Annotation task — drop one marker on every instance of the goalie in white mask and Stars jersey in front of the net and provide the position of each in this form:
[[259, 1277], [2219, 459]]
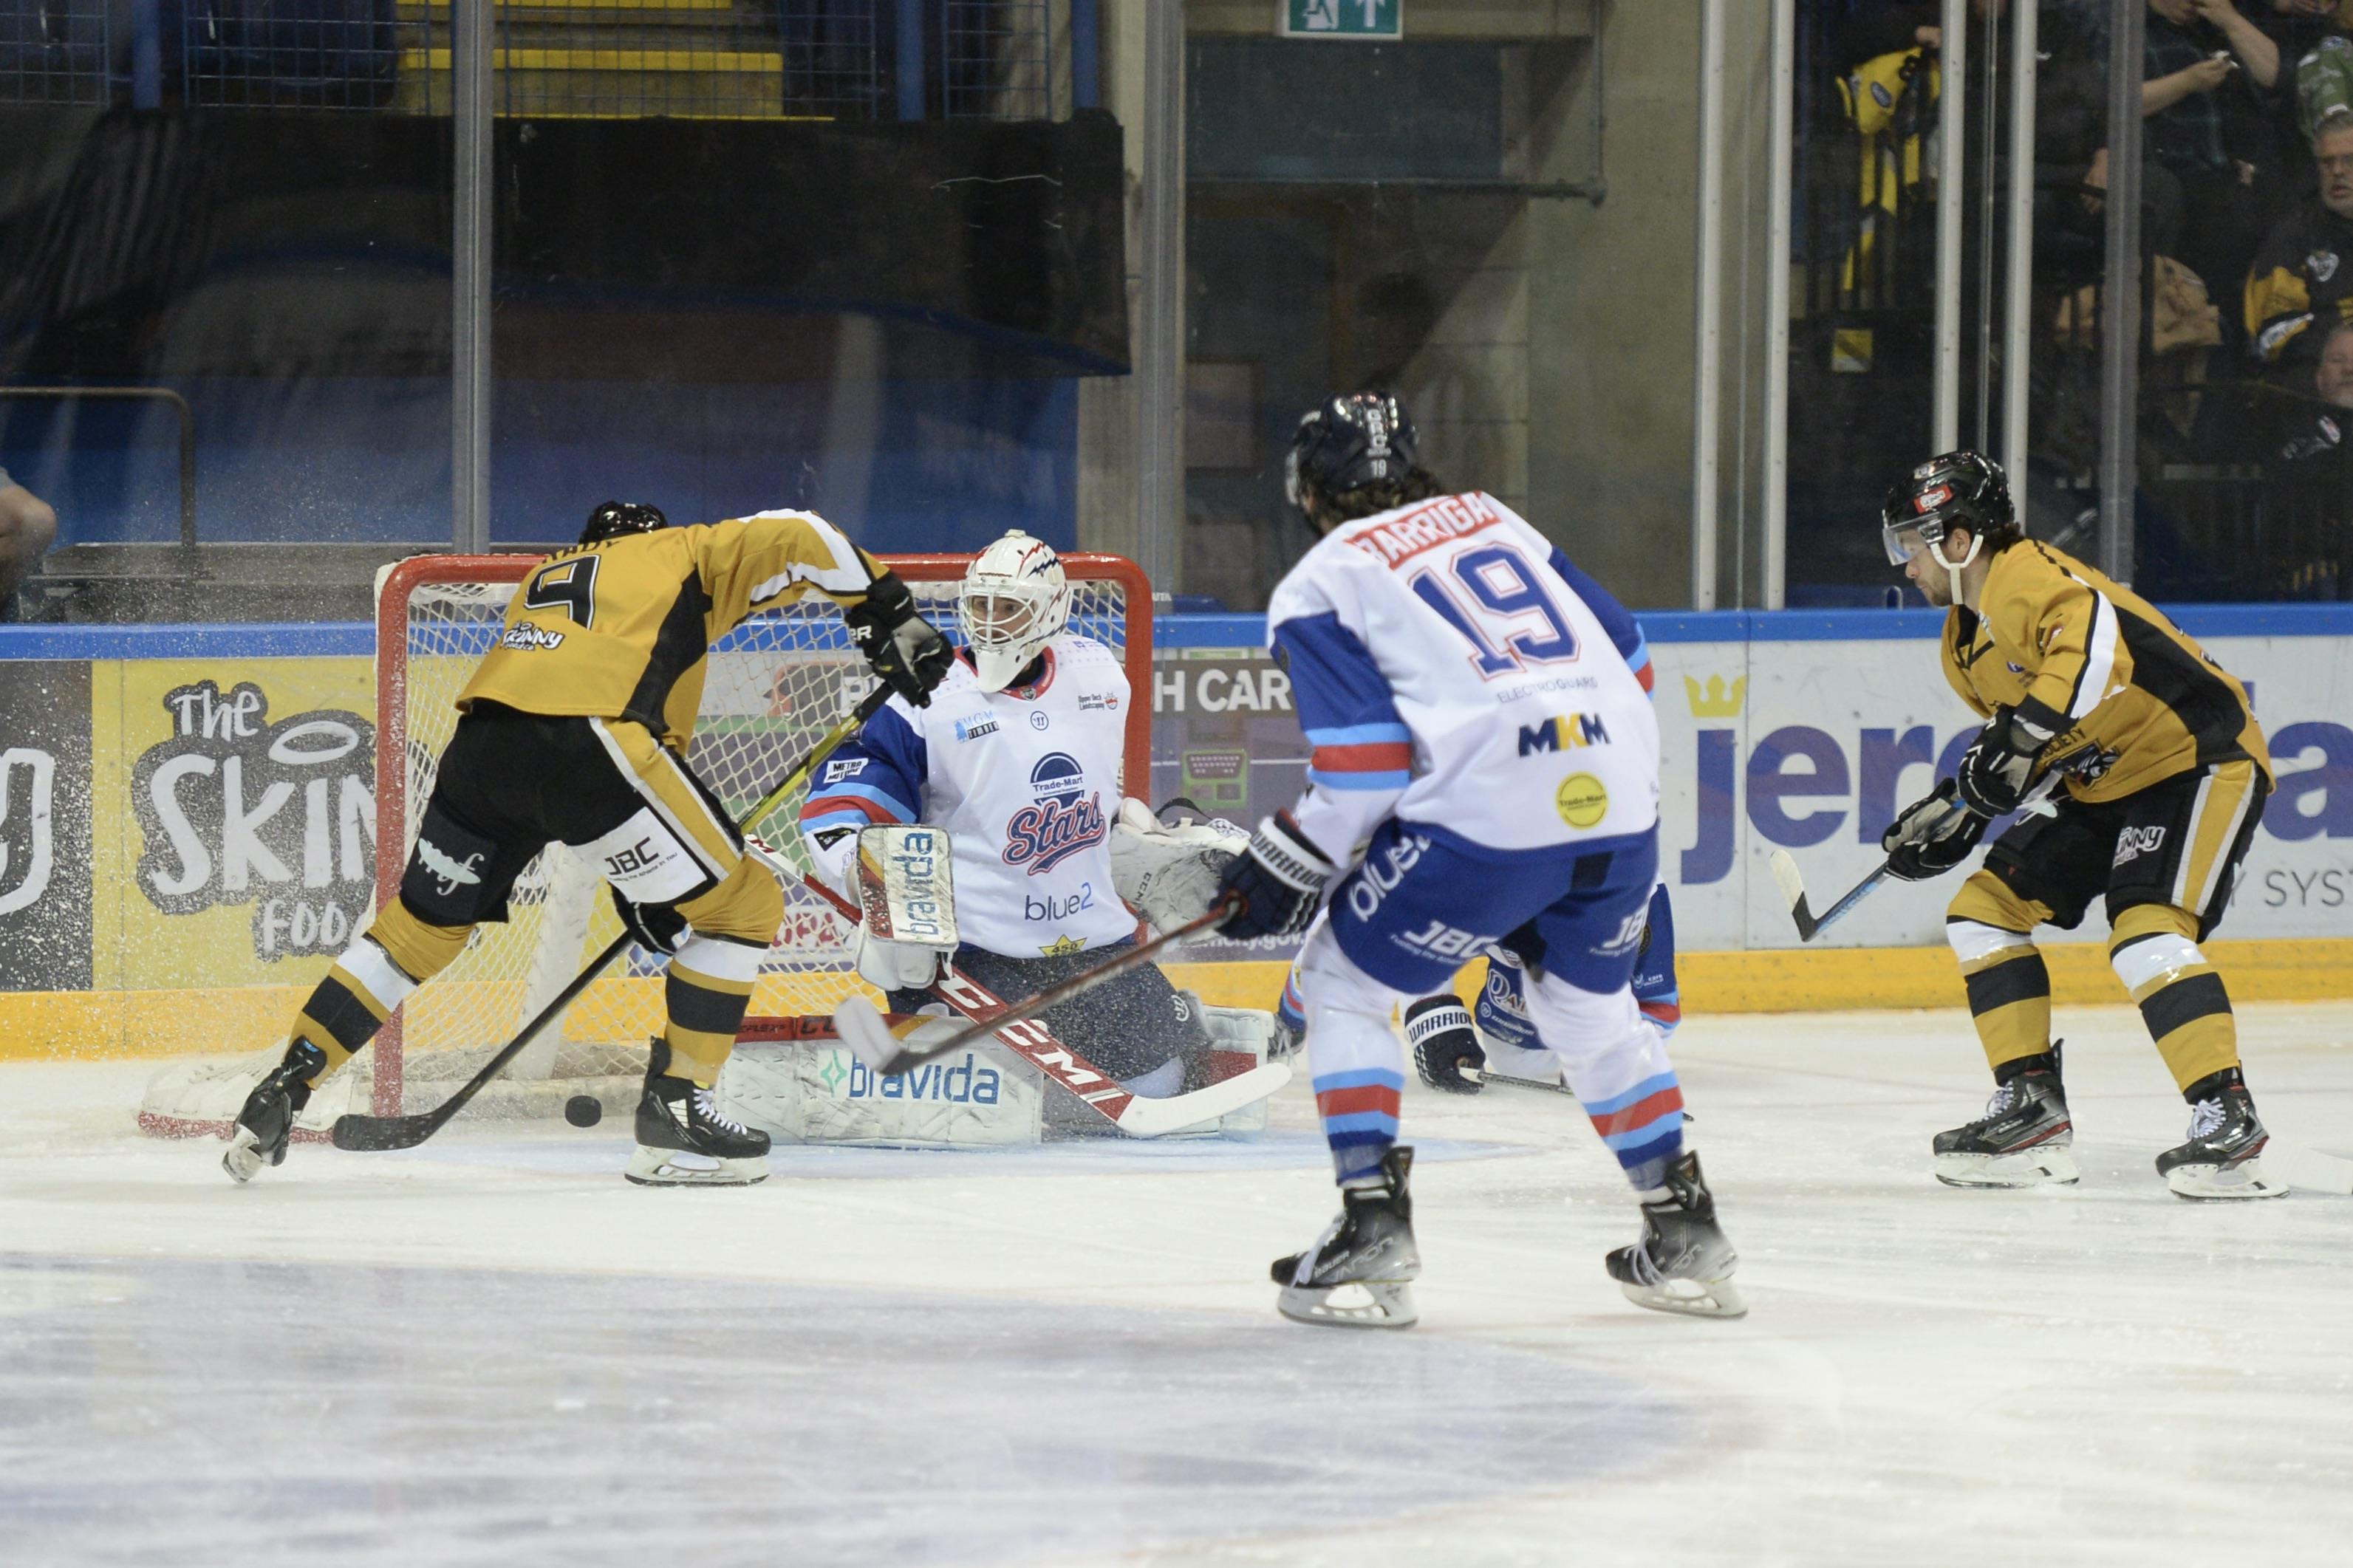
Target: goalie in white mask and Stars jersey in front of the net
[[1020, 760]]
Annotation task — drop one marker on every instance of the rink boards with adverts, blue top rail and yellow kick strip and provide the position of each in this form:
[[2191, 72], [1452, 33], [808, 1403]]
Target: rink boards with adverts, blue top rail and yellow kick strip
[[187, 812]]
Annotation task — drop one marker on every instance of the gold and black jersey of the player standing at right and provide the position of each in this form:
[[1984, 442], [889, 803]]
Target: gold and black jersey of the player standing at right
[[2126, 692]]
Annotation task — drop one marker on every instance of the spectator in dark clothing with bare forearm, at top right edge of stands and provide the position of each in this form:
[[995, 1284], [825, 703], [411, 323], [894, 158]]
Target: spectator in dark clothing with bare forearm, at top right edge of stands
[[2204, 58]]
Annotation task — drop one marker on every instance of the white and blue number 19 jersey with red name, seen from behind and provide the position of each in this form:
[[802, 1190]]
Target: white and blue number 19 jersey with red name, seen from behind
[[1453, 669]]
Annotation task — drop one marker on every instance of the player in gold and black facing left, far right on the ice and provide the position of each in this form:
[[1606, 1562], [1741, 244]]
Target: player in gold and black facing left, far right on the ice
[[2142, 777]]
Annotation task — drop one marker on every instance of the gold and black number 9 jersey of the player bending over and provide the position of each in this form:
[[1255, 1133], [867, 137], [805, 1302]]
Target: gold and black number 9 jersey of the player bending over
[[622, 629]]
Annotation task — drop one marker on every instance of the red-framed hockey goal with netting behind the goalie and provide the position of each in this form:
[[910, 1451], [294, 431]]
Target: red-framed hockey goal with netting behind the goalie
[[773, 690]]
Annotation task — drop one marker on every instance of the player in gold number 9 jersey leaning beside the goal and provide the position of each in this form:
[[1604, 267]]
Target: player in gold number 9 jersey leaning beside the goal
[[575, 730]]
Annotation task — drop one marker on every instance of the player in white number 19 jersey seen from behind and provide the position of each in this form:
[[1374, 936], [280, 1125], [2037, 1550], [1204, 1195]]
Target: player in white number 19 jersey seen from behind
[[1484, 779]]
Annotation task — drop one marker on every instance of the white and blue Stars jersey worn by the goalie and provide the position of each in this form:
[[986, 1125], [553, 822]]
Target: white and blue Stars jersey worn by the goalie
[[1027, 784]]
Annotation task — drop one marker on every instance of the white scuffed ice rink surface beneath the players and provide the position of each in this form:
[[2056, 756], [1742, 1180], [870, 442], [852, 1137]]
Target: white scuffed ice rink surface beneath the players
[[493, 1351]]
